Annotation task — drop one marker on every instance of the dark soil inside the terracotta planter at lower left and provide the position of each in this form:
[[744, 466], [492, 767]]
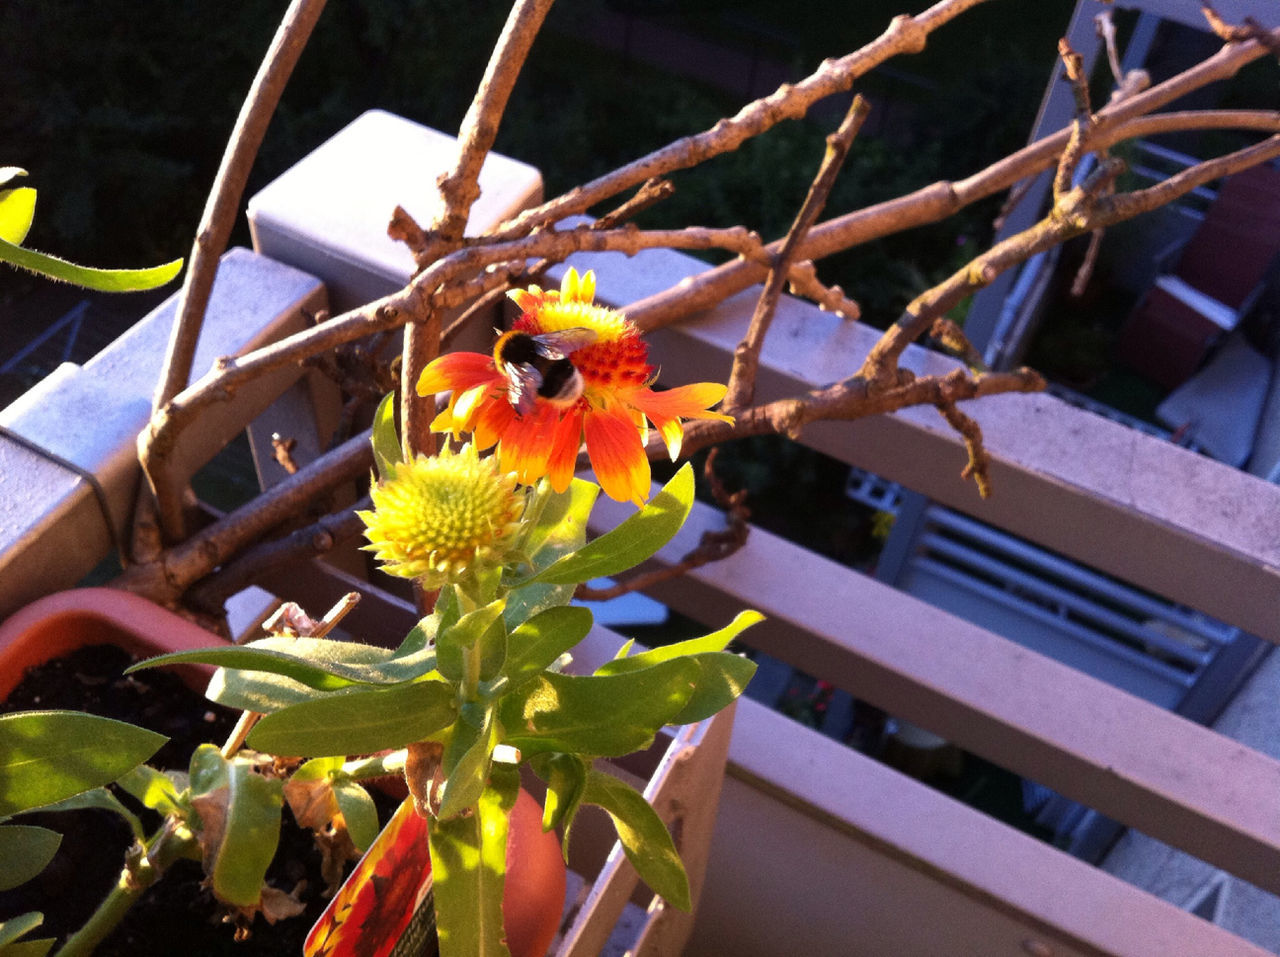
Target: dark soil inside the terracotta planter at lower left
[[177, 915]]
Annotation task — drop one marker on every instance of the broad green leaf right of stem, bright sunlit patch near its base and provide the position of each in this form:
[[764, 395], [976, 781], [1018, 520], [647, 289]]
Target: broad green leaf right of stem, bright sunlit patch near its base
[[607, 717]]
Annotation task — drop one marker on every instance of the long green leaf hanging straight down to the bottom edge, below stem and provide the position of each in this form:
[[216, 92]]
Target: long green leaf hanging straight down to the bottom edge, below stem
[[469, 867]]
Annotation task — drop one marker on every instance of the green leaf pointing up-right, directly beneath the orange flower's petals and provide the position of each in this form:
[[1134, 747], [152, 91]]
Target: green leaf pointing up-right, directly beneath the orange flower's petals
[[630, 543]]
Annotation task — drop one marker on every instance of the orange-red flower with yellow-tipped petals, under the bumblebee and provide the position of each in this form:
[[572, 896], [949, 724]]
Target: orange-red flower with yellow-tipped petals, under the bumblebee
[[612, 415]]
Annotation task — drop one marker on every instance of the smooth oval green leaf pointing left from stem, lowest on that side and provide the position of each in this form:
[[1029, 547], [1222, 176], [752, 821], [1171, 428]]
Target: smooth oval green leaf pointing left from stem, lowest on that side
[[358, 722]]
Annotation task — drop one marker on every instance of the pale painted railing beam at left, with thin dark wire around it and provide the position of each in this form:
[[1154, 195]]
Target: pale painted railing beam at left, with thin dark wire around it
[[52, 529]]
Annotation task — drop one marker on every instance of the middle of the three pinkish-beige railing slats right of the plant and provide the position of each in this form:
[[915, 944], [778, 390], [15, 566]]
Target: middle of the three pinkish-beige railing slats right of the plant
[[1131, 761]]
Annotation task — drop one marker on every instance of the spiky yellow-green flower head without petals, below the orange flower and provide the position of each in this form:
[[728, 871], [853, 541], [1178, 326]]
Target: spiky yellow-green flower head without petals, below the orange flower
[[441, 516]]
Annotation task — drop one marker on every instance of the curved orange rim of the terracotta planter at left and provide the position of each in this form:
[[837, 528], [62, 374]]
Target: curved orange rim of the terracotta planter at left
[[61, 624]]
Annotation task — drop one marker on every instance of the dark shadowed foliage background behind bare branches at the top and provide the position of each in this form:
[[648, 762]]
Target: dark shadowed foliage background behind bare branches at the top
[[122, 111]]
